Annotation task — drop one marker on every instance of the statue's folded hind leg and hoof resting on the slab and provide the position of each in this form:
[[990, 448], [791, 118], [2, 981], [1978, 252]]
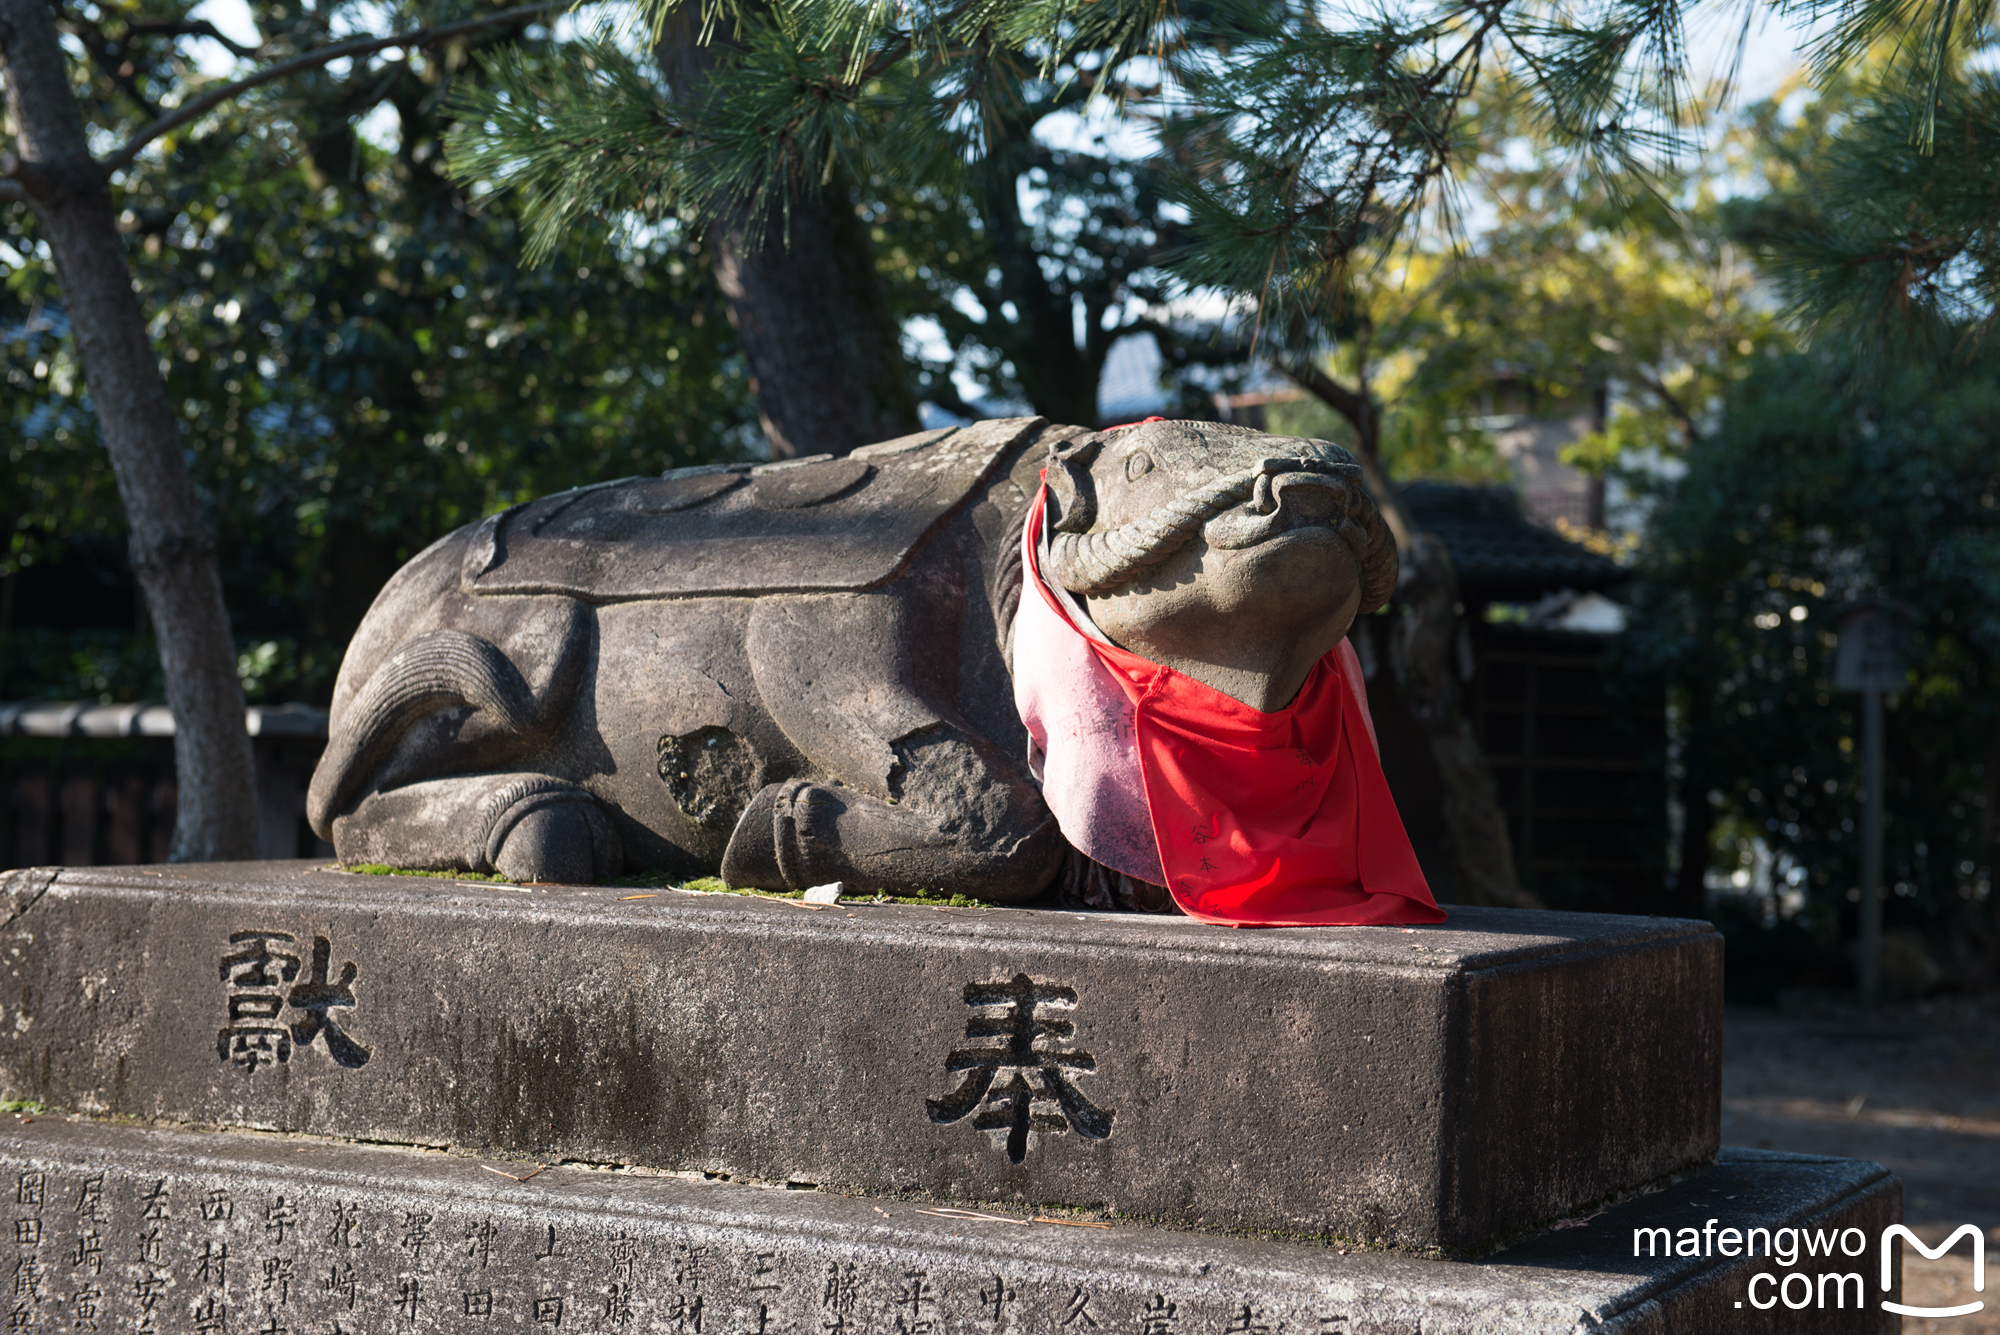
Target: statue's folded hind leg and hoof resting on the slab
[[525, 826]]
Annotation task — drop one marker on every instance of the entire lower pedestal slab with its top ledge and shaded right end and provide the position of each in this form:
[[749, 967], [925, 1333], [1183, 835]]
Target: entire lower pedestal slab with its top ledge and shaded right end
[[129, 1230]]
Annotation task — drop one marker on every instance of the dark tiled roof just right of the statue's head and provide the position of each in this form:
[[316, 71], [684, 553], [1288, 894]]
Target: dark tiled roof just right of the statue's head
[[1501, 557]]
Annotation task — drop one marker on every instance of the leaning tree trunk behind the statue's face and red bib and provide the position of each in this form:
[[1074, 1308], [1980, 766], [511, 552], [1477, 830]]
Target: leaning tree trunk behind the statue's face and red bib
[[1483, 854]]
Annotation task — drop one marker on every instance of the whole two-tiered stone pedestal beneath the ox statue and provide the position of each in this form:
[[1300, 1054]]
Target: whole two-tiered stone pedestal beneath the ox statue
[[607, 1110]]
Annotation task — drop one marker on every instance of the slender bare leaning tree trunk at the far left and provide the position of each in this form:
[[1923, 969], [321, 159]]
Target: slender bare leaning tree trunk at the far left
[[173, 553]]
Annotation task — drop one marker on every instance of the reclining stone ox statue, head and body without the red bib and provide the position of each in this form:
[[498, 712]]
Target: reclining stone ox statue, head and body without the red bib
[[801, 672]]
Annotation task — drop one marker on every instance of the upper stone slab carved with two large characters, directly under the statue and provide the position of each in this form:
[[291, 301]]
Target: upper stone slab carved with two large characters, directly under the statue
[[1435, 1088]]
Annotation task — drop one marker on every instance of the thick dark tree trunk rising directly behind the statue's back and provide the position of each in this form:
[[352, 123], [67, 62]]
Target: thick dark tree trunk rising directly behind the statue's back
[[807, 305]]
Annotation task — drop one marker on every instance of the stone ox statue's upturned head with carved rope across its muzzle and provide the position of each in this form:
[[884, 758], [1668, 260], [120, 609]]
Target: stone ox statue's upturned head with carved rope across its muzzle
[[1185, 539]]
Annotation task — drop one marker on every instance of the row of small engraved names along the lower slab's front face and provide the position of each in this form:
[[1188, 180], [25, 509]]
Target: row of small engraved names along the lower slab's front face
[[237, 1254]]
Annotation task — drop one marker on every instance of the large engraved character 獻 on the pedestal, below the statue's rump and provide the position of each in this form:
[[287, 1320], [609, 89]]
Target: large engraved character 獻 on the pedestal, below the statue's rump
[[267, 978]]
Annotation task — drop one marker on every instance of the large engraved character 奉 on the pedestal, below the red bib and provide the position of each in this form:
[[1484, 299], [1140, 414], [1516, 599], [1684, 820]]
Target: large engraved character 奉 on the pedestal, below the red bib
[[1027, 1082]]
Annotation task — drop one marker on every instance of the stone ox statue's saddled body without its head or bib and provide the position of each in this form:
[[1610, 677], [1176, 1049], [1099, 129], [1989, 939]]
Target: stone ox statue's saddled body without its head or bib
[[531, 692]]
